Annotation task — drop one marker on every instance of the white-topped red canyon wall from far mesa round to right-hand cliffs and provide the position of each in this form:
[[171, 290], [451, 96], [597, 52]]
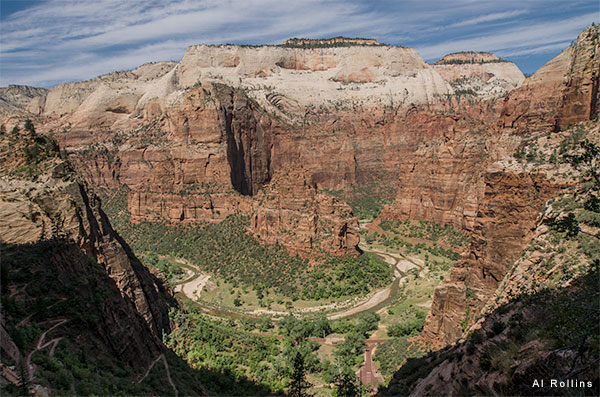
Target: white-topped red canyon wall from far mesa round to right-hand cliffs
[[222, 130]]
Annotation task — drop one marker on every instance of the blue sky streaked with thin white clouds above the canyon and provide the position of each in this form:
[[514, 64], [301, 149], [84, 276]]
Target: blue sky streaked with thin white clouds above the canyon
[[44, 43]]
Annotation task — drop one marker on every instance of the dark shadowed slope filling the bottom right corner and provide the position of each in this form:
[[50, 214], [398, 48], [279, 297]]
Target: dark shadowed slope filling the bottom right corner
[[521, 342]]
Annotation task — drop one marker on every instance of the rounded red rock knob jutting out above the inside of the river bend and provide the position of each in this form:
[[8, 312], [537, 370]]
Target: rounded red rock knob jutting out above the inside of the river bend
[[291, 212]]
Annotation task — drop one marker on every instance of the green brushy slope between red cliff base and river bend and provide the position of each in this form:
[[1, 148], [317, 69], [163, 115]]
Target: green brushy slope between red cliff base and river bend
[[228, 251]]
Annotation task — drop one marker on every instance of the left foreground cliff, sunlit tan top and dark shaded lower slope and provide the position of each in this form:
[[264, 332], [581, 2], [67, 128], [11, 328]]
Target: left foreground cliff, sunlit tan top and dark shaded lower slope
[[64, 265]]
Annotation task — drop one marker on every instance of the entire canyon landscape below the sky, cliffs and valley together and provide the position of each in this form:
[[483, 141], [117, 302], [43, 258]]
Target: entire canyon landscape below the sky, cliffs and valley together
[[262, 220]]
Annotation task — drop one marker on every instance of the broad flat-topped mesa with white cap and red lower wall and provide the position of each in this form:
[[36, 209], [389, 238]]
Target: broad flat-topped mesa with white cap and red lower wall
[[190, 148]]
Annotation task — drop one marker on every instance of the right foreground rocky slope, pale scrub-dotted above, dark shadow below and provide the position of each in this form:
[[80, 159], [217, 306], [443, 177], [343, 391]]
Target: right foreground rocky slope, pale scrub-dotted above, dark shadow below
[[539, 320]]
